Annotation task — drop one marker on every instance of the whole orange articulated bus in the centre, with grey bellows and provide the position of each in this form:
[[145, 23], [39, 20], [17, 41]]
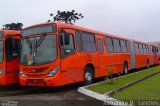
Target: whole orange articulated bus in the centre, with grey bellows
[[56, 54]]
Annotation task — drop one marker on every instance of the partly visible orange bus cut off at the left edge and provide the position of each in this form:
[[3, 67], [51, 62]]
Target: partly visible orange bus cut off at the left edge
[[9, 56]]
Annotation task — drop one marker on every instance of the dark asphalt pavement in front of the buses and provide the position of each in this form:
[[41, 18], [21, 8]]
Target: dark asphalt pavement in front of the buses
[[15, 95]]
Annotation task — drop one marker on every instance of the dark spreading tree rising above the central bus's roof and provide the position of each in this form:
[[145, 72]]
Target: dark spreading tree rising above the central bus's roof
[[66, 16]]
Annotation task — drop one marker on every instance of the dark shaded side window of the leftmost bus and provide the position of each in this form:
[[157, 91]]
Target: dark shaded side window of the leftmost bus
[[12, 48]]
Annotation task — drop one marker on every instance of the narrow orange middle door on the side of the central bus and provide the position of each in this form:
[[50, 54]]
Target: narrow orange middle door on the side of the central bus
[[101, 56]]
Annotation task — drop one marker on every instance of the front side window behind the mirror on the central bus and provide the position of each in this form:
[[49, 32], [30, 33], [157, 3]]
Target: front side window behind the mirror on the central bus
[[66, 48]]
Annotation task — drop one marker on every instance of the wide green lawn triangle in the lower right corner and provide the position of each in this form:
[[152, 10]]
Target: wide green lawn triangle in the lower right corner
[[148, 89]]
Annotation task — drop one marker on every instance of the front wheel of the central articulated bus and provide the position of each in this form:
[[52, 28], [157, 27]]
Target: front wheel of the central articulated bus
[[88, 76]]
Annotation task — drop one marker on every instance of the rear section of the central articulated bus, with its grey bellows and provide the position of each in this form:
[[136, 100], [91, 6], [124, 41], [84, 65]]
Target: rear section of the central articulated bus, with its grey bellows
[[141, 54]]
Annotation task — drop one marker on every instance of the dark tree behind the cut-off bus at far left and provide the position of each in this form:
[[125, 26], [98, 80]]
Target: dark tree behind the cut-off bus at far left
[[12, 26]]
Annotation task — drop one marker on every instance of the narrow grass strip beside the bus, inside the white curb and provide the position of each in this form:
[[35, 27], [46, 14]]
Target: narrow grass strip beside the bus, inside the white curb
[[105, 87]]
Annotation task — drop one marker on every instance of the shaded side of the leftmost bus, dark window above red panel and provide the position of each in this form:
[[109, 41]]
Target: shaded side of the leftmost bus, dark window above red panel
[[12, 61]]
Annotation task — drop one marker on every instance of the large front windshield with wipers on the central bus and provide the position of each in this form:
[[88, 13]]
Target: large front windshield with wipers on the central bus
[[38, 50]]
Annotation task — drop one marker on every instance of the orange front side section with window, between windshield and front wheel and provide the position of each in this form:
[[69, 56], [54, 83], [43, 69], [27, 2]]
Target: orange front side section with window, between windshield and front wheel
[[70, 63]]
